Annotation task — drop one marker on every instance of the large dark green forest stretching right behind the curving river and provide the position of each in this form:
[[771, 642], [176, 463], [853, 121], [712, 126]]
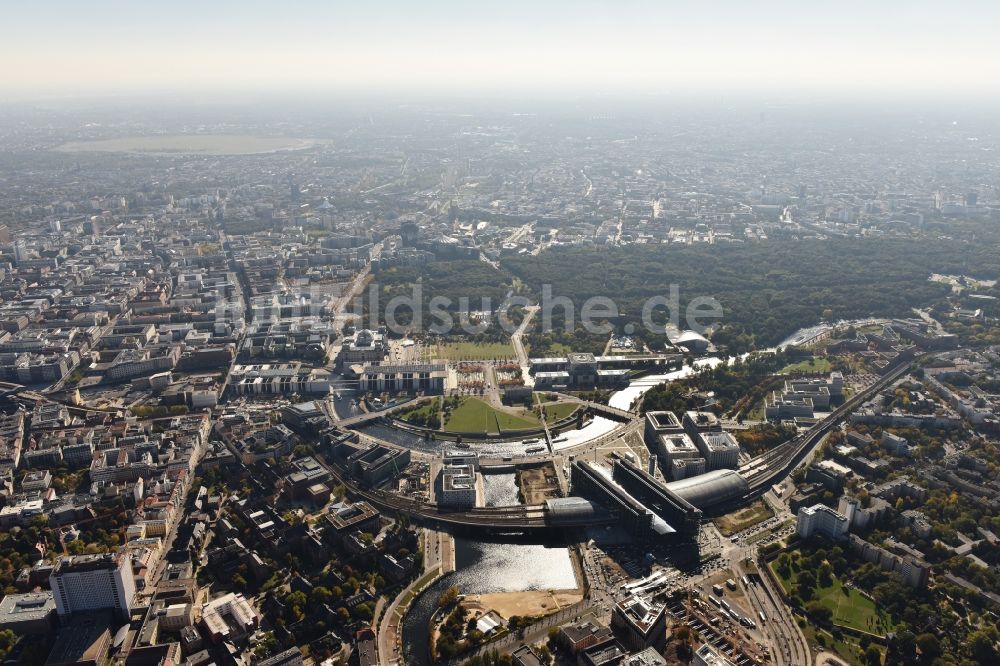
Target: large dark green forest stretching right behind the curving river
[[767, 290]]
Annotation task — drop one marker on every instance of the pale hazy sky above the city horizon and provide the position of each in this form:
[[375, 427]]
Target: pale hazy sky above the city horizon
[[885, 47]]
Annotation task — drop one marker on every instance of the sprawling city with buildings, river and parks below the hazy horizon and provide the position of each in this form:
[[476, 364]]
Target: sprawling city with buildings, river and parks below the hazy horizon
[[337, 381]]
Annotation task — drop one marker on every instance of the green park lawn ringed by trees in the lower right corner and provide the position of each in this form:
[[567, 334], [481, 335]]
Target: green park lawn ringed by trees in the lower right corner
[[824, 595]]
